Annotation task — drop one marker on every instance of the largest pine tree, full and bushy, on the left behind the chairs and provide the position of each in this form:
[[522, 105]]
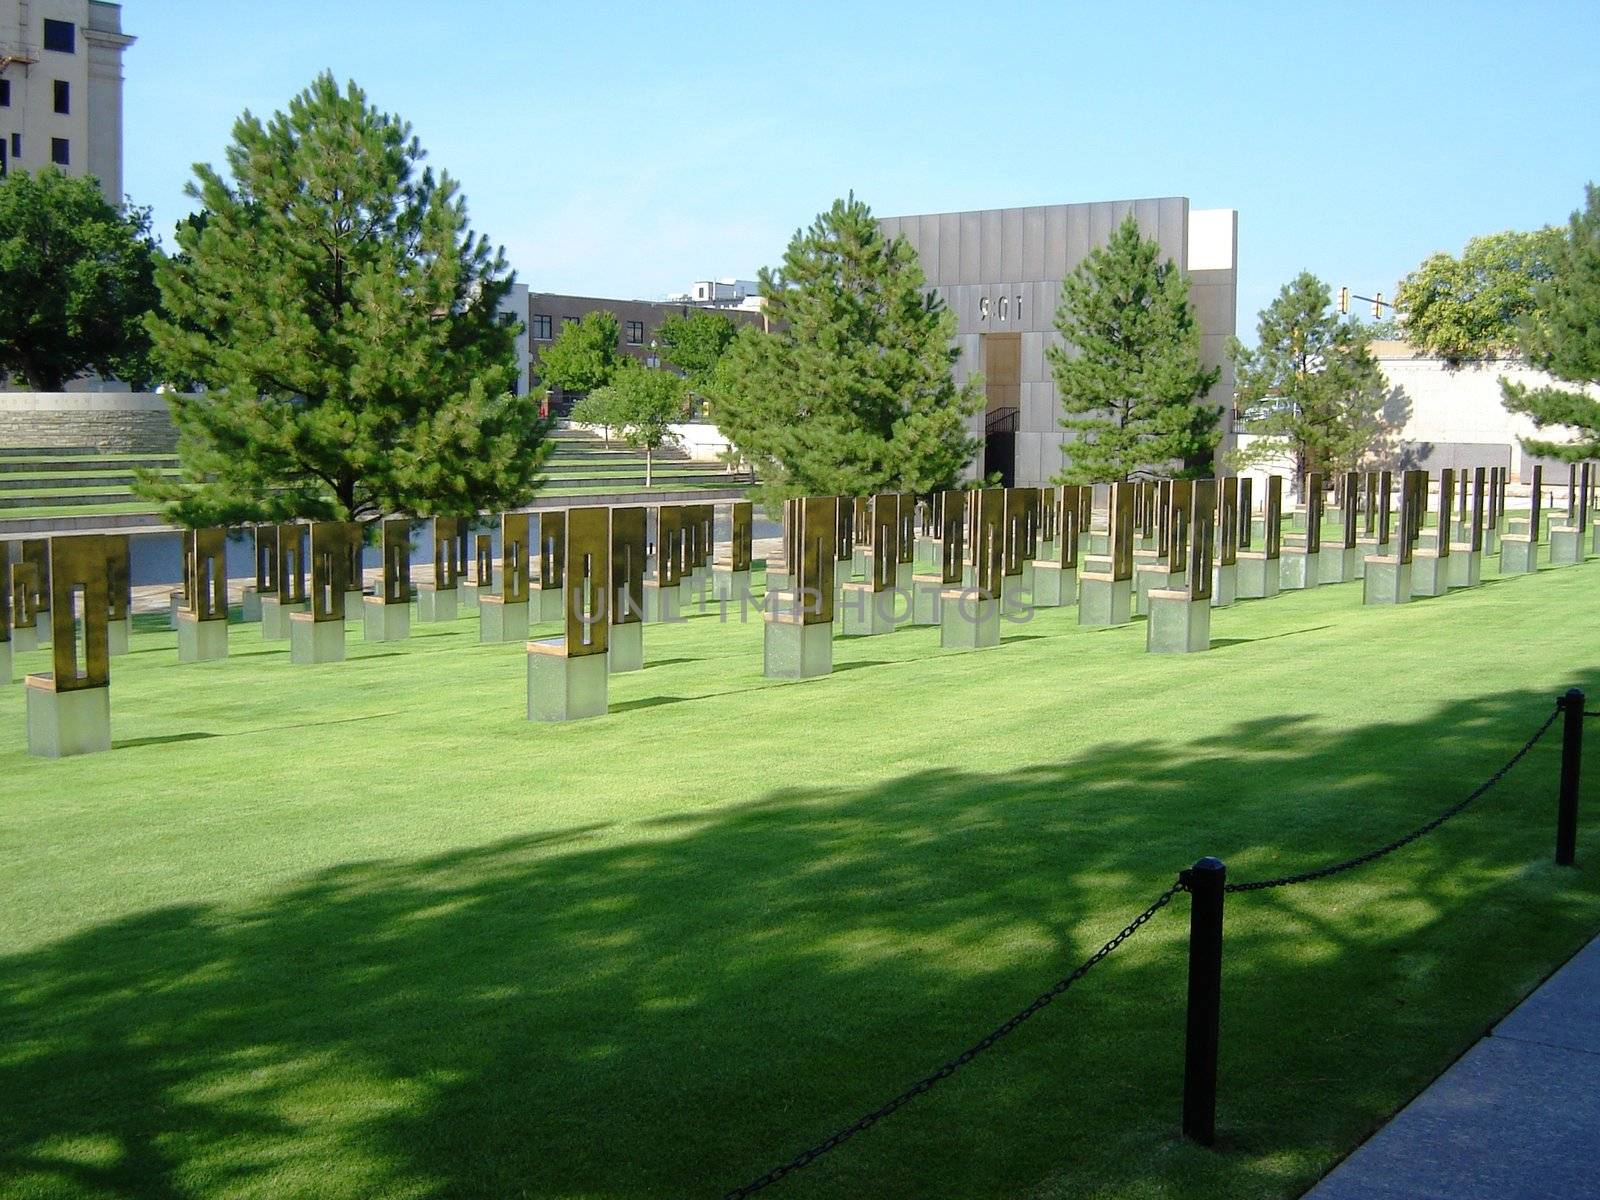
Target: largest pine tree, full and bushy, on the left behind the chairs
[[343, 322]]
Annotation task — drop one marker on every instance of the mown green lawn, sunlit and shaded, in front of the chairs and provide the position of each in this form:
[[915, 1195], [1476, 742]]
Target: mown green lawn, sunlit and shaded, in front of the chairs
[[362, 930]]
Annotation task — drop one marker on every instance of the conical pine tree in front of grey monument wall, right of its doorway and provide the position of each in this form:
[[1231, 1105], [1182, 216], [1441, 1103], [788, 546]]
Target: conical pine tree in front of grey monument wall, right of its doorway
[[1129, 378]]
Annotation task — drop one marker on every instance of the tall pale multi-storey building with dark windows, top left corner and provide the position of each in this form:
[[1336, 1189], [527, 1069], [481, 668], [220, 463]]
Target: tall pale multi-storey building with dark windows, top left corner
[[62, 89]]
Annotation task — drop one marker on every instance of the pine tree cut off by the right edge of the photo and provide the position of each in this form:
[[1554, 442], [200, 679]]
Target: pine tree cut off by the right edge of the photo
[[1564, 338]]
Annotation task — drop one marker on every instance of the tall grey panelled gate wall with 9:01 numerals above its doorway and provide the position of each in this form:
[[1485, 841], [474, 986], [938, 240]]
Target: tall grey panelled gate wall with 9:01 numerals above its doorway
[[1001, 274]]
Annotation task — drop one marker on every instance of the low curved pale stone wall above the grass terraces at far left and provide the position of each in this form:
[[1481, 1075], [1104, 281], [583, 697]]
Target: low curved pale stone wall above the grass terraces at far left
[[106, 422]]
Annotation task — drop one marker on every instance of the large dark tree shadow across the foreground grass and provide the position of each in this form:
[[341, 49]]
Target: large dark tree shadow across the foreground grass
[[671, 1009]]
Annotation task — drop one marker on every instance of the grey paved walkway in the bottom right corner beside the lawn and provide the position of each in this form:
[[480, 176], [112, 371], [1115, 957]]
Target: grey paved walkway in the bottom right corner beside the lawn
[[1518, 1116]]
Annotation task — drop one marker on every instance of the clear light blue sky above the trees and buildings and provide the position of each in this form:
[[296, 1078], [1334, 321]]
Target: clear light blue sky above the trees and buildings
[[630, 150]]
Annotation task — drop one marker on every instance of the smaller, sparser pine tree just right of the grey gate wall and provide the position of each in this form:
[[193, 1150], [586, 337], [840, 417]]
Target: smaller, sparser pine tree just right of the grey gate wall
[[1311, 390]]
